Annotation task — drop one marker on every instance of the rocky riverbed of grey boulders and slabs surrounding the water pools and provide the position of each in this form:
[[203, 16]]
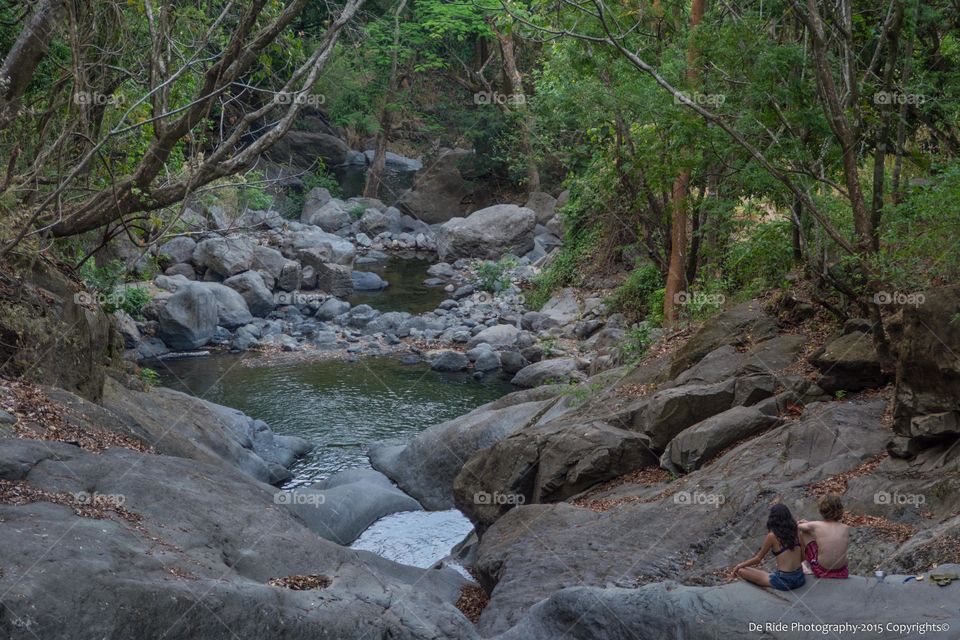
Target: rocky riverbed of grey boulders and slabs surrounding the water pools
[[609, 496]]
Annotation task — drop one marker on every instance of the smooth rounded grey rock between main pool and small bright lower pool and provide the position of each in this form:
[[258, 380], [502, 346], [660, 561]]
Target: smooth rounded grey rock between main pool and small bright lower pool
[[340, 509]]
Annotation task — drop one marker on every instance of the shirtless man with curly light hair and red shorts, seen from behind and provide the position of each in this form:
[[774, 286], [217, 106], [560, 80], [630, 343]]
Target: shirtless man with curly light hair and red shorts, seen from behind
[[825, 541]]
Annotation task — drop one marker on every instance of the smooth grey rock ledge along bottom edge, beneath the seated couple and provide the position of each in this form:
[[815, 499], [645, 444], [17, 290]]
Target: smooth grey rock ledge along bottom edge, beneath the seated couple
[[667, 610]]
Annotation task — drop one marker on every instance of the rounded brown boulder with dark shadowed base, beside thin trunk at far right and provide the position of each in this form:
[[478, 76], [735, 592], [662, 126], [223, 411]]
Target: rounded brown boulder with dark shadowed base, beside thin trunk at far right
[[849, 363]]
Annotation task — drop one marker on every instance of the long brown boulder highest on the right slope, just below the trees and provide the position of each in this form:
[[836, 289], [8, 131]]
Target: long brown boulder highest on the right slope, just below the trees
[[737, 326]]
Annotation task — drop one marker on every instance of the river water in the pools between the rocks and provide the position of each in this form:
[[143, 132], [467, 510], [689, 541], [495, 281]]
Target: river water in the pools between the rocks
[[343, 407]]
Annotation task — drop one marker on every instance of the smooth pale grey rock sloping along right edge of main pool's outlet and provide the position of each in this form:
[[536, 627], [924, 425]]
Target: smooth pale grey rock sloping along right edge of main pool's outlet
[[426, 467]]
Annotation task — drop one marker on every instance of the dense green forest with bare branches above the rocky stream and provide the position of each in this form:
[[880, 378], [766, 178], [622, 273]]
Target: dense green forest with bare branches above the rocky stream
[[708, 148]]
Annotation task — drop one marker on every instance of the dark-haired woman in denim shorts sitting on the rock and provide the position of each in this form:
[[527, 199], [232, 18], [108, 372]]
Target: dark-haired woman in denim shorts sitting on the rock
[[783, 542]]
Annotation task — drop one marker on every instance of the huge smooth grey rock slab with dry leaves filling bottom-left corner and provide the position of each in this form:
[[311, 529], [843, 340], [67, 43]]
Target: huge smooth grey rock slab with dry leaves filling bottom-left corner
[[184, 529]]
